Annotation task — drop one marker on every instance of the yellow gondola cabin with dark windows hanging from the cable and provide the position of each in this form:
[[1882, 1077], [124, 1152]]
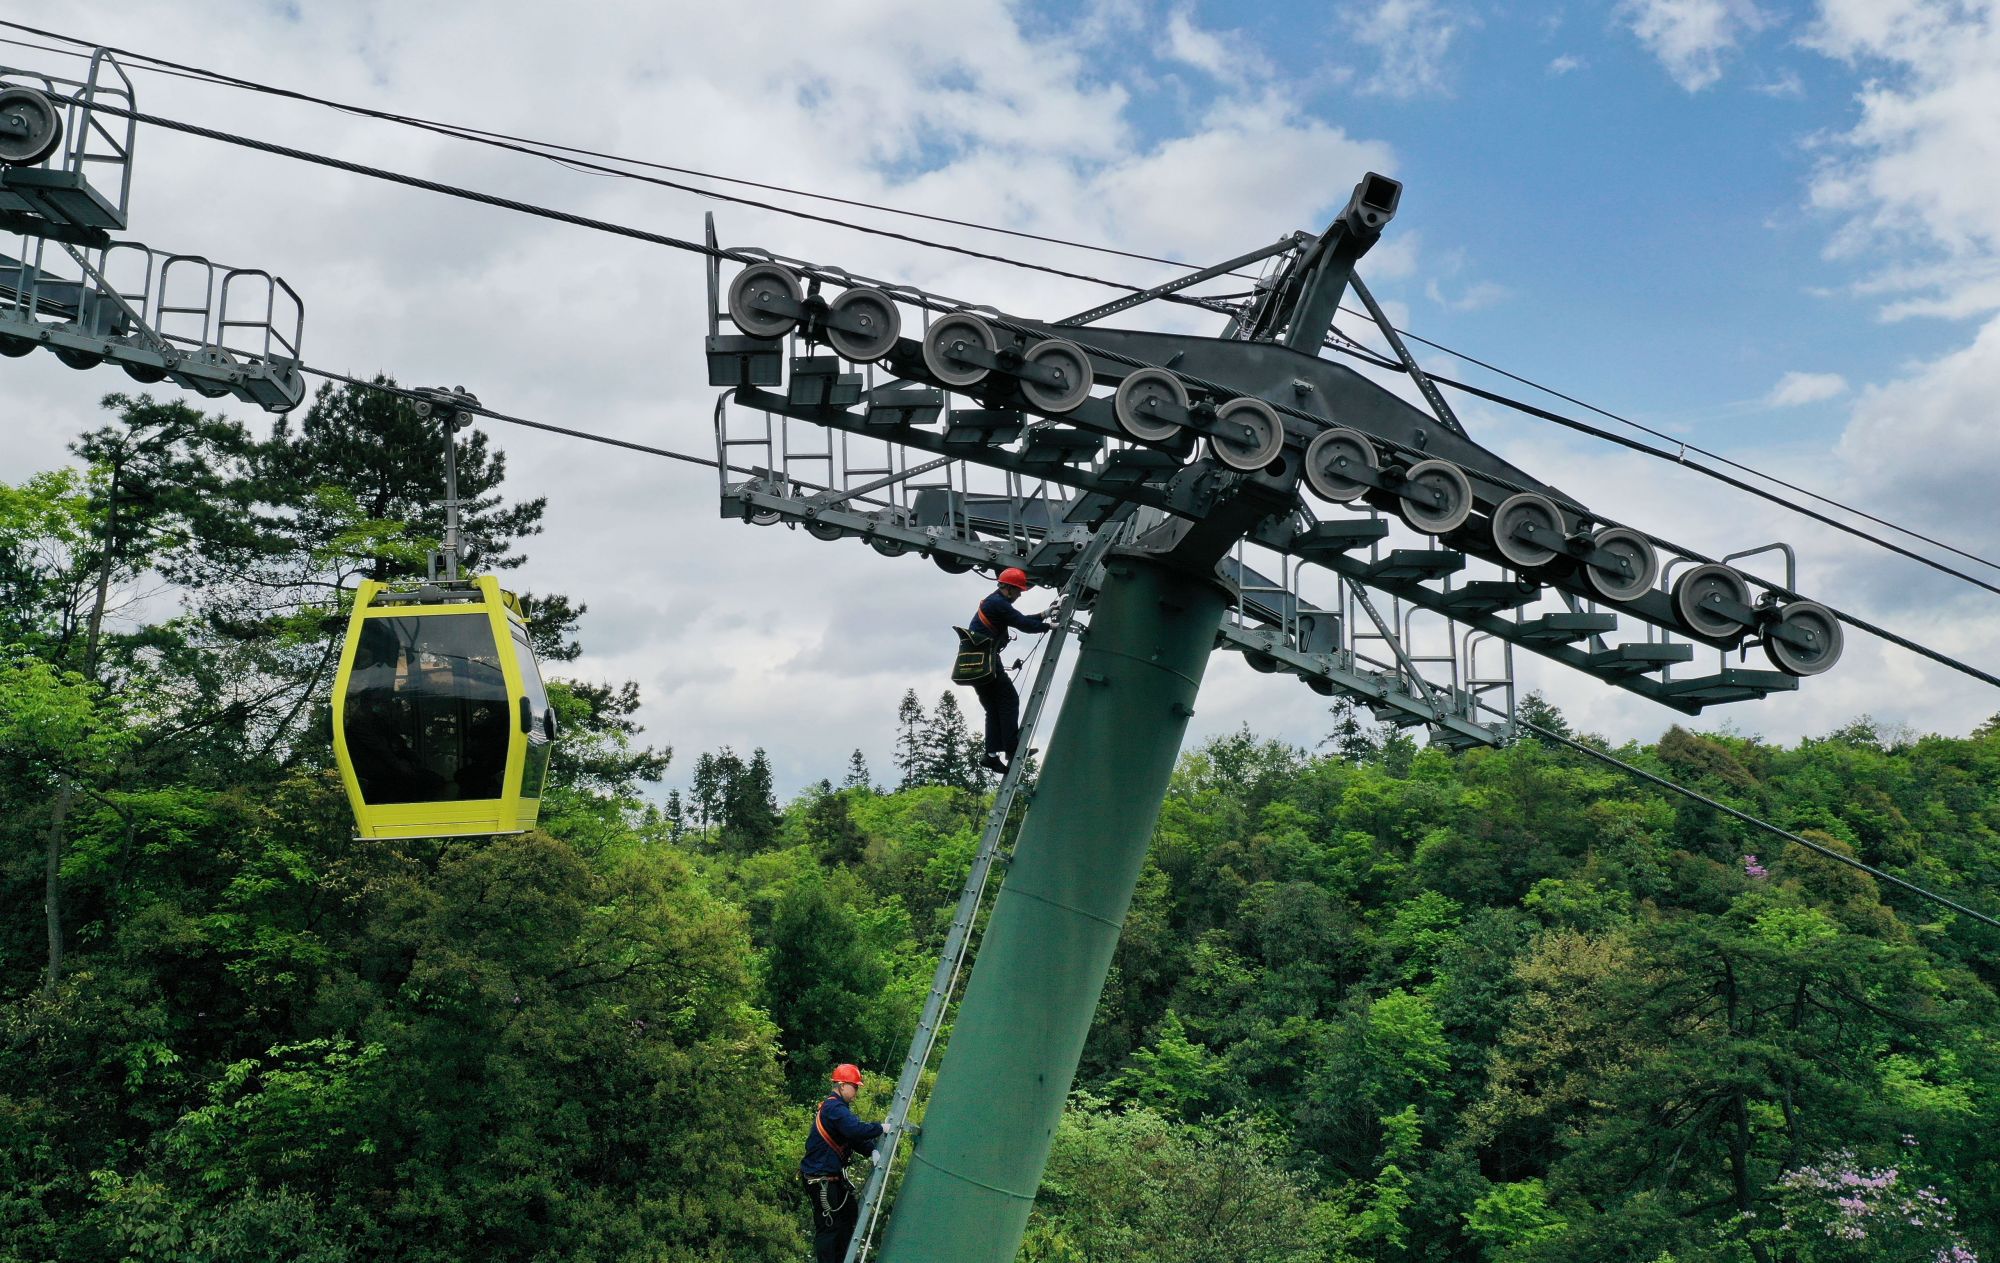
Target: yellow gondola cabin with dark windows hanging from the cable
[[441, 722]]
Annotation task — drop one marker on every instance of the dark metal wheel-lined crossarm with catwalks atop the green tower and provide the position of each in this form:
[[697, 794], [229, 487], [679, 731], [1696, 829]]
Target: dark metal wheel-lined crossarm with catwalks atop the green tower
[[1457, 579]]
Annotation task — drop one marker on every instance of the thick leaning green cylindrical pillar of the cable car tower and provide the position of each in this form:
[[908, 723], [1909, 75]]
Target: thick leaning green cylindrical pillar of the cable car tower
[[1055, 924]]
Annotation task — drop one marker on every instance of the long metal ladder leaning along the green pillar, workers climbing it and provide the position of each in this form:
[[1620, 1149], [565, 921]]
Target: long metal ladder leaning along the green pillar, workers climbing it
[[959, 938]]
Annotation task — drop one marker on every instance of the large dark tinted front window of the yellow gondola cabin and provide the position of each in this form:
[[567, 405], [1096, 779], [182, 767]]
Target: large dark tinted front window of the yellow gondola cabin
[[429, 714]]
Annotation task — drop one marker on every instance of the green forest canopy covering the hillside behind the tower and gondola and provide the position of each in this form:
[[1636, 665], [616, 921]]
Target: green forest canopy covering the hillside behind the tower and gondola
[[1371, 1006]]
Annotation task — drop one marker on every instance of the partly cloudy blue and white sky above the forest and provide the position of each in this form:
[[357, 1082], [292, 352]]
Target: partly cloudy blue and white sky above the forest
[[1771, 231]]
